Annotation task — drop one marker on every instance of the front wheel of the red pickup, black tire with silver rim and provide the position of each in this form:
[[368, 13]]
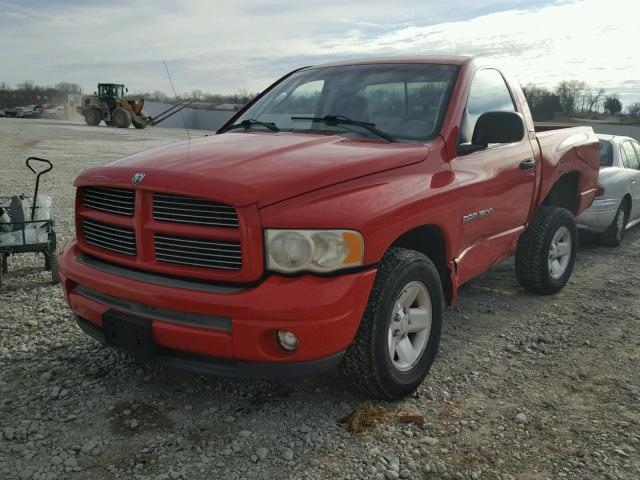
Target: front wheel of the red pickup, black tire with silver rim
[[399, 335]]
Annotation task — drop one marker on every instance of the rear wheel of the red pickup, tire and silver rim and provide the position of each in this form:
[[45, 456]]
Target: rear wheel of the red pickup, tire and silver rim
[[547, 250]]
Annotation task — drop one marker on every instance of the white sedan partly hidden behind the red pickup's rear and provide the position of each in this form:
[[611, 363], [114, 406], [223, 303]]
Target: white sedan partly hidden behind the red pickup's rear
[[617, 203]]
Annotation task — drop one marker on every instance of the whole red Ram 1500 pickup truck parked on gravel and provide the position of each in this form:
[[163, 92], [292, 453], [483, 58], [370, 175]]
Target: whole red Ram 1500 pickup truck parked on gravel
[[328, 222]]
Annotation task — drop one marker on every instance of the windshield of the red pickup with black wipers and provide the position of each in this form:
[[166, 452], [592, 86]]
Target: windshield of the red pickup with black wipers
[[404, 101]]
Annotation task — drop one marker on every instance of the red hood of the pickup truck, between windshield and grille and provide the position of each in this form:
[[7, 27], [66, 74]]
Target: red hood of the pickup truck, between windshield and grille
[[262, 168]]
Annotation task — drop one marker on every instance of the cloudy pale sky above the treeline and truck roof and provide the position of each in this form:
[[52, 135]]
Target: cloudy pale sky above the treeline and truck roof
[[224, 46]]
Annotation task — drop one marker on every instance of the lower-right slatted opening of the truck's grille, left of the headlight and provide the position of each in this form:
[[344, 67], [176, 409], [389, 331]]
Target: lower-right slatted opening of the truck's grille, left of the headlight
[[198, 252]]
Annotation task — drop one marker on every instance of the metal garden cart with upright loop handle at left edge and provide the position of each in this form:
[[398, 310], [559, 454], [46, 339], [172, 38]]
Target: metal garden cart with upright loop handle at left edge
[[33, 235]]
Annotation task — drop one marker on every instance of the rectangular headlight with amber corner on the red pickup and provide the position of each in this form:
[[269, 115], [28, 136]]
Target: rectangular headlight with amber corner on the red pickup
[[313, 250]]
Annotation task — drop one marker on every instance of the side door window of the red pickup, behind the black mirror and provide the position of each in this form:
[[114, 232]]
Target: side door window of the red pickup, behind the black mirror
[[489, 93]]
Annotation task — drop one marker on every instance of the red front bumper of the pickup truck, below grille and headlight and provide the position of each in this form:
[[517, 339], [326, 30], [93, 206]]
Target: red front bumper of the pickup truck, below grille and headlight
[[224, 330]]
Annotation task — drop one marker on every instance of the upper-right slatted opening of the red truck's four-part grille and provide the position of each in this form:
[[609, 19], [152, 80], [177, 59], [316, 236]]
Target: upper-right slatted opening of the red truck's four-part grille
[[196, 211]]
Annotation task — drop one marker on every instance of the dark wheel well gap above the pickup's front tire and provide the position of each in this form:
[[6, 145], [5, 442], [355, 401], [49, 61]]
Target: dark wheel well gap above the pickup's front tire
[[429, 241]]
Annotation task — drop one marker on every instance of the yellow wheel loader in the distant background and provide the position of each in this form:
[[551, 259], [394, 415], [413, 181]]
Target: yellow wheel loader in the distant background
[[111, 106]]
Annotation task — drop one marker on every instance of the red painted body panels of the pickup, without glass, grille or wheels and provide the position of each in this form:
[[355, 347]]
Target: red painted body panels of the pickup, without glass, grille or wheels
[[294, 180]]
